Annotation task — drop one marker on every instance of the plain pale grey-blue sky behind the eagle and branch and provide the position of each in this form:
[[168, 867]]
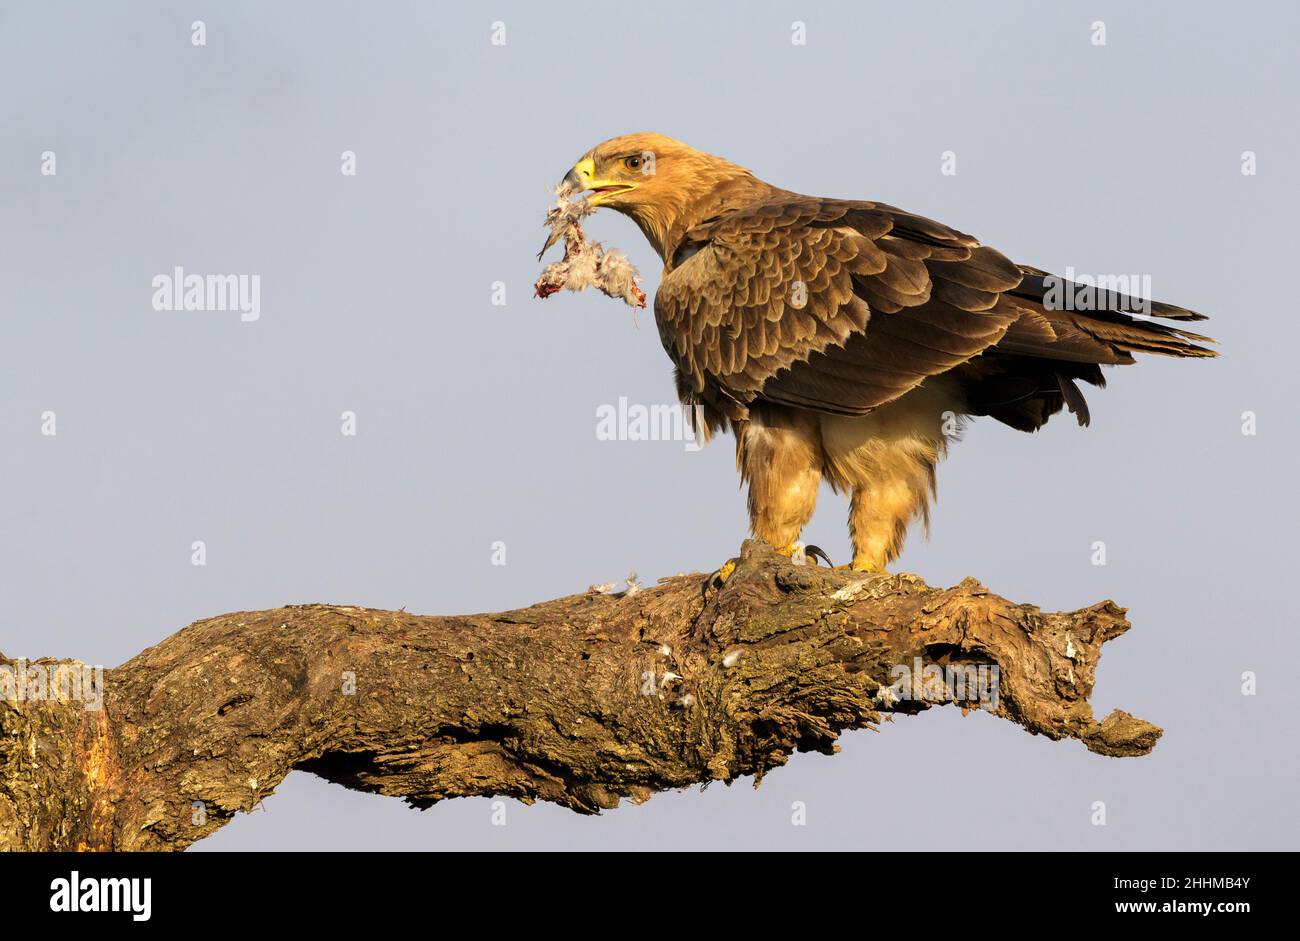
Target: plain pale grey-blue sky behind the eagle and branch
[[478, 423]]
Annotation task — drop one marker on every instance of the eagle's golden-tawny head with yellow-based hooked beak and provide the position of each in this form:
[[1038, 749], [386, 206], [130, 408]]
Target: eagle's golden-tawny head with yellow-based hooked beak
[[662, 184]]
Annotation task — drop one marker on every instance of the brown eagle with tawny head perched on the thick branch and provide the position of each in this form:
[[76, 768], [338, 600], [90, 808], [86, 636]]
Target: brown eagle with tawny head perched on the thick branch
[[848, 341]]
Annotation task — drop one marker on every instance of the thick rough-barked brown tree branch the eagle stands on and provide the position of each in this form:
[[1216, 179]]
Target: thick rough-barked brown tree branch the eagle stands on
[[580, 701]]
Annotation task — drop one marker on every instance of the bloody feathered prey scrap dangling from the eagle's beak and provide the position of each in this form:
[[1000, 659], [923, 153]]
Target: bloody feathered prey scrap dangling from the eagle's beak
[[586, 264]]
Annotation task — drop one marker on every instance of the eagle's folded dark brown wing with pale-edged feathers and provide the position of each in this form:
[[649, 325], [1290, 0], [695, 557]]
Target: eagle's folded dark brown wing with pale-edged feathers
[[842, 306]]
